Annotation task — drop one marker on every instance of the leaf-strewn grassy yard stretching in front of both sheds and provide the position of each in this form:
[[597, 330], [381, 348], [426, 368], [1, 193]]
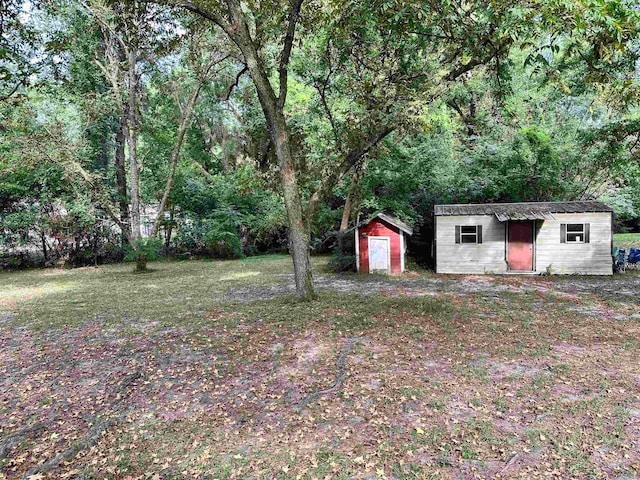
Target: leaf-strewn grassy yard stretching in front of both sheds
[[213, 370]]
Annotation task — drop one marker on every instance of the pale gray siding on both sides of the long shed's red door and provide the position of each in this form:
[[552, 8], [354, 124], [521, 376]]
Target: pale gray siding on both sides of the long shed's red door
[[592, 258]]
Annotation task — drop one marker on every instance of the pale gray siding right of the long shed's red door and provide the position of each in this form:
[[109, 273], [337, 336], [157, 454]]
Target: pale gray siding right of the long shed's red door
[[593, 258]]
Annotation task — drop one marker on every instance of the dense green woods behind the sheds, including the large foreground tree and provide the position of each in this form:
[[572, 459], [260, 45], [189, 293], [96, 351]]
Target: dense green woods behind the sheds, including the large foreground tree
[[222, 129]]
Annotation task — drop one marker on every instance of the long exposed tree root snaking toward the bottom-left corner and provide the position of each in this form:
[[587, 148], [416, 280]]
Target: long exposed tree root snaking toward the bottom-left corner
[[94, 433]]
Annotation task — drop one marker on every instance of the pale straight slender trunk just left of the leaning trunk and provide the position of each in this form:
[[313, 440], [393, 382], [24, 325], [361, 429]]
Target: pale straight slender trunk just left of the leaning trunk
[[134, 174]]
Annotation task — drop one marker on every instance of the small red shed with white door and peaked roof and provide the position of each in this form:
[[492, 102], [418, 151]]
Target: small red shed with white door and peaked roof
[[381, 244]]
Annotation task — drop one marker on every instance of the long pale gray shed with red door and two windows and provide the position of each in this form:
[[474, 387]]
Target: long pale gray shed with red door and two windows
[[535, 237]]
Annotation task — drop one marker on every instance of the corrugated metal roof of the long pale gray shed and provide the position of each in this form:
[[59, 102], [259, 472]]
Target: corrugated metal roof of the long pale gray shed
[[521, 211]]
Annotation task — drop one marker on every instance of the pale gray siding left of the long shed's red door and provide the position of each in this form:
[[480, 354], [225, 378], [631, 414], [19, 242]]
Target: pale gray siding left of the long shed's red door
[[488, 257]]
